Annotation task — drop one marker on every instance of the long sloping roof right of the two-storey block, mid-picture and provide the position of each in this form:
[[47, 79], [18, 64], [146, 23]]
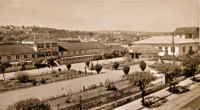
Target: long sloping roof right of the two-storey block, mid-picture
[[81, 45]]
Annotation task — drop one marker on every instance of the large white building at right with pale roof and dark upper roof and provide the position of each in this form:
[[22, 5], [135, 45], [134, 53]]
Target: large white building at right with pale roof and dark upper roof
[[185, 39]]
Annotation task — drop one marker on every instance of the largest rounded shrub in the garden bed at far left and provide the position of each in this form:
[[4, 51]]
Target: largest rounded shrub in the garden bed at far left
[[22, 77]]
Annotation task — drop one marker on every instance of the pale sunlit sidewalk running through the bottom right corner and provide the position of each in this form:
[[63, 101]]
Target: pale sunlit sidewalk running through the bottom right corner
[[175, 101]]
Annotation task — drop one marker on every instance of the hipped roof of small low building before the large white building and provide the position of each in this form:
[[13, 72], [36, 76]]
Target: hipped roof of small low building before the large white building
[[143, 49]]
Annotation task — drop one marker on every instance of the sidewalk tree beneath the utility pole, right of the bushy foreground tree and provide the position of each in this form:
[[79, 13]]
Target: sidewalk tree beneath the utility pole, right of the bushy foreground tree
[[169, 71]]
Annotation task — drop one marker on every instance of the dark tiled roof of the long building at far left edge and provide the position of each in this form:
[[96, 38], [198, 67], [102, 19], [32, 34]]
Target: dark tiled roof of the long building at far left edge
[[16, 49]]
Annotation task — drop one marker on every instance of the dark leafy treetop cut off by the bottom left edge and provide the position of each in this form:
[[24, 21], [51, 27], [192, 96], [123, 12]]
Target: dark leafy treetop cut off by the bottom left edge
[[30, 104]]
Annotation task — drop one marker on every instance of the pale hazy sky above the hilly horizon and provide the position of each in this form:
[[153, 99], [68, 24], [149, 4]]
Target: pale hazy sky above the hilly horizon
[[132, 15]]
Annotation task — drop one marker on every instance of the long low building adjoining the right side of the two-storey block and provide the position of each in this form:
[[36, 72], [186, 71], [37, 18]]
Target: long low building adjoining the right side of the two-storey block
[[79, 52]]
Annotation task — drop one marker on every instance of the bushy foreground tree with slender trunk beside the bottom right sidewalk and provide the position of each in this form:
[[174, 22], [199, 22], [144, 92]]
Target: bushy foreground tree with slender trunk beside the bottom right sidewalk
[[141, 80]]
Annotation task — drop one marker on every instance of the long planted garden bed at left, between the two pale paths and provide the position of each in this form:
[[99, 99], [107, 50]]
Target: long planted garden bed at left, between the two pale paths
[[37, 80]]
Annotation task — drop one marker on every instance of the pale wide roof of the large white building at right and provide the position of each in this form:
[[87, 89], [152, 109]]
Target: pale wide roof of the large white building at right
[[164, 40]]
